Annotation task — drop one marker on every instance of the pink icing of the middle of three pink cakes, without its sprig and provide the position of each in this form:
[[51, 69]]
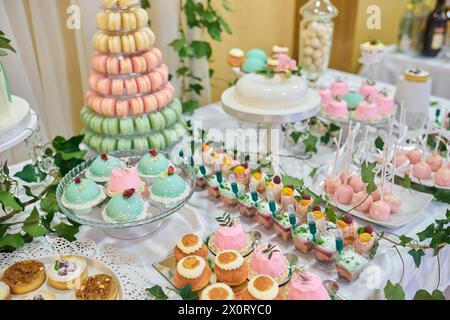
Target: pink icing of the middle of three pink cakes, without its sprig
[[261, 264]]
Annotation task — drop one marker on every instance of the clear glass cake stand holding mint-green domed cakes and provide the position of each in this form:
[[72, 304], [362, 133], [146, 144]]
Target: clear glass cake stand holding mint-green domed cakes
[[157, 212]]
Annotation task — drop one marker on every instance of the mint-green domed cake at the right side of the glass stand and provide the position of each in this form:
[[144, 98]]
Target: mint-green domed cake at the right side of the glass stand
[[169, 188]]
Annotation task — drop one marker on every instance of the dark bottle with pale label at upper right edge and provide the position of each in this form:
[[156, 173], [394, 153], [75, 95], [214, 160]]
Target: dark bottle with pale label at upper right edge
[[435, 31]]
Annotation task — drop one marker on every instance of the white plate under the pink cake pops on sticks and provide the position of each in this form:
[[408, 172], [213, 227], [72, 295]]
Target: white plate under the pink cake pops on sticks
[[413, 203]]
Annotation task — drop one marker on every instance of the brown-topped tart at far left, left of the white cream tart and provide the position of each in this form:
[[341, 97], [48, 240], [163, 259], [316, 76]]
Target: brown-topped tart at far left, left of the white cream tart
[[25, 276]]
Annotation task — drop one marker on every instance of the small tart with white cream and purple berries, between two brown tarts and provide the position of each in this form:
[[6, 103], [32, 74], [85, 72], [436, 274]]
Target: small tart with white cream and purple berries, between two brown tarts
[[67, 273]]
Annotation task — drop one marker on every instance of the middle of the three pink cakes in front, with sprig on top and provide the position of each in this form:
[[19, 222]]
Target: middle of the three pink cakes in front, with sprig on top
[[269, 260]]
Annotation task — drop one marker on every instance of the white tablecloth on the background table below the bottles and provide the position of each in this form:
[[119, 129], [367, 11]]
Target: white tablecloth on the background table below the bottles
[[395, 63]]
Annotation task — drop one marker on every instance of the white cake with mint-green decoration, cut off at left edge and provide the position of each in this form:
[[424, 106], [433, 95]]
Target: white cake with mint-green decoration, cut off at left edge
[[15, 112]]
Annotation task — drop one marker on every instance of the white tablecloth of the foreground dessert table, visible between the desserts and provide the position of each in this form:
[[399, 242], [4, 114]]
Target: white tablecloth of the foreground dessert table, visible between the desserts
[[200, 213]]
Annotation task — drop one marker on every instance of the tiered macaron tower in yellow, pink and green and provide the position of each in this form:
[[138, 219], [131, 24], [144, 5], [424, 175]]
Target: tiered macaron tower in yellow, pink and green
[[130, 104]]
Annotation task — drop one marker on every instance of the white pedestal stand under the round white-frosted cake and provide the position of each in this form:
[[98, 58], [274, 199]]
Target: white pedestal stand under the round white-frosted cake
[[270, 119]]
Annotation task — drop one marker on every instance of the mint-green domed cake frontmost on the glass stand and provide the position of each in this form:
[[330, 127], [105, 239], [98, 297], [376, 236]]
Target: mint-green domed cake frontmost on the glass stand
[[126, 207]]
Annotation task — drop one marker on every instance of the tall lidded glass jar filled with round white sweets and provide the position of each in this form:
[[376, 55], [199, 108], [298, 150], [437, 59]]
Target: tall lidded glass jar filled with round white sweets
[[316, 37]]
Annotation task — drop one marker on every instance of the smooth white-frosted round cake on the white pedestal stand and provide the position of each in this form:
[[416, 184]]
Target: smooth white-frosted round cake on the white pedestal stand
[[279, 92]]
